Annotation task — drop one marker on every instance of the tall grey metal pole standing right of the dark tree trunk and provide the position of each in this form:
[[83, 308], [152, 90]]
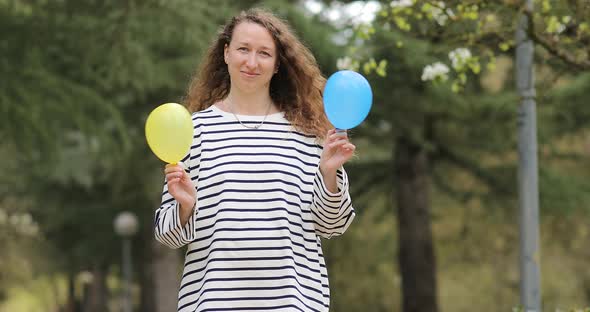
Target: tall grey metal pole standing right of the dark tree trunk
[[530, 290]]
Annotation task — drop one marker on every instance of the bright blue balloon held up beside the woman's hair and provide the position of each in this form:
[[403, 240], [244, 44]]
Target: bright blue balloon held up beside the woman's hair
[[347, 99]]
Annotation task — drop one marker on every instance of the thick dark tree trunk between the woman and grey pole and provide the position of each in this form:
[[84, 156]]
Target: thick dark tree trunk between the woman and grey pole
[[416, 253]]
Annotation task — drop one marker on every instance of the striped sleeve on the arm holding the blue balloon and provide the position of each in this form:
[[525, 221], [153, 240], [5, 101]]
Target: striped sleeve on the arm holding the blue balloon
[[332, 212]]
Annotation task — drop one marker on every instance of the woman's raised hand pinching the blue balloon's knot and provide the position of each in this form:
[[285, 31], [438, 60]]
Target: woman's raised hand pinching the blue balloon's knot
[[337, 151]]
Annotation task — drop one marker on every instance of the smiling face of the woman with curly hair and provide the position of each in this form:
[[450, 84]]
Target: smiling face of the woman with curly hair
[[251, 58]]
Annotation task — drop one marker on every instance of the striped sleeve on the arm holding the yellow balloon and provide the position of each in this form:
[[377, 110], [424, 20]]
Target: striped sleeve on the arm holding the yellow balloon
[[168, 229]]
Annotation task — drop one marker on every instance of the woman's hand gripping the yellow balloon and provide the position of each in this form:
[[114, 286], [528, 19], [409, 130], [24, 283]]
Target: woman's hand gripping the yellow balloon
[[180, 186]]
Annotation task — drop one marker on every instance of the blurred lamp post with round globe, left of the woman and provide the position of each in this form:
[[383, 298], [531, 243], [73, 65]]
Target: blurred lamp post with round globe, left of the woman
[[126, 225]]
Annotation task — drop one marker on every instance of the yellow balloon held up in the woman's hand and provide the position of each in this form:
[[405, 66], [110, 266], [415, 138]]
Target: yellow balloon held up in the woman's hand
[[169, 132]]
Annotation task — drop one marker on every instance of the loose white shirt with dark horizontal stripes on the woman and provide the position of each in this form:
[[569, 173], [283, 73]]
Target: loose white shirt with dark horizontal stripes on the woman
[[262, 206]]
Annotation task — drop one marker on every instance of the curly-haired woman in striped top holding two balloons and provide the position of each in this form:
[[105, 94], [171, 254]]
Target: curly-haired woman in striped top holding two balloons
[[259, 190]]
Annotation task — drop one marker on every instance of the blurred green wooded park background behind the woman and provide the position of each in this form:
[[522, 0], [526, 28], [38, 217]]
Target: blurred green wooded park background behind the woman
[[435, 181]]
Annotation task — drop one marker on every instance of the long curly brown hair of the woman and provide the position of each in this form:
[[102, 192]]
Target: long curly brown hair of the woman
[[296, 88]]
